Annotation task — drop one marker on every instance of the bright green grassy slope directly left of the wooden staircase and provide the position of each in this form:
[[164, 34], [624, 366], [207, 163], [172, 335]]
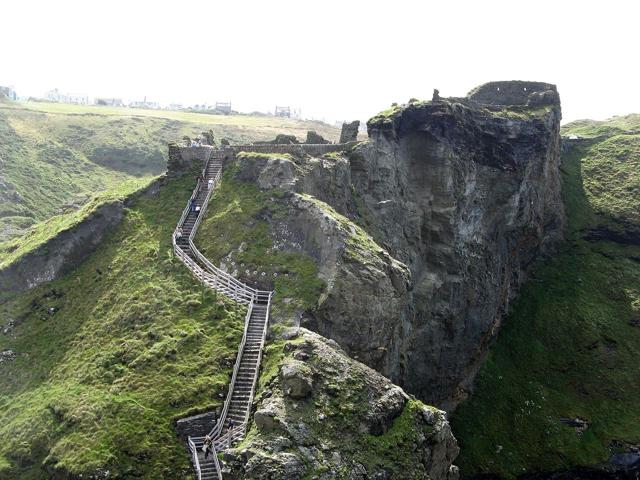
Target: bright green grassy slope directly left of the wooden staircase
[[107, 357]]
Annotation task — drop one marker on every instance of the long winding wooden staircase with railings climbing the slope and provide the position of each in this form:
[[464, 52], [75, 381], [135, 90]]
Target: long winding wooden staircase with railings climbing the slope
[[232, 424]]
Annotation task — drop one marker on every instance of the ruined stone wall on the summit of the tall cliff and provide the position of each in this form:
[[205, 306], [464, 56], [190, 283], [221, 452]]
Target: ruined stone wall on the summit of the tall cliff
[[515, 92]]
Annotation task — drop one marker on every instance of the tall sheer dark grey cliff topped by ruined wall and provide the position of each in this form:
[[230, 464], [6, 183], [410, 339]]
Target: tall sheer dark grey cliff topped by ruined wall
[[467, 195]]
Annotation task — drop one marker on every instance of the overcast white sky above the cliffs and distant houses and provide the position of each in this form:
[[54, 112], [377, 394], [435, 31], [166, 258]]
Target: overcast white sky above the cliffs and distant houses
[[333, 59]]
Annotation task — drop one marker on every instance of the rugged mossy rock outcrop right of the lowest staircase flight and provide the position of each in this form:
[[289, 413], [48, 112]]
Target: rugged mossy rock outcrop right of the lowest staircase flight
[[350, 423]]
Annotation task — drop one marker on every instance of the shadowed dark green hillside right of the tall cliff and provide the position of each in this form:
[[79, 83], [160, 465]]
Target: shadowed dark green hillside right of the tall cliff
[[569, 348]]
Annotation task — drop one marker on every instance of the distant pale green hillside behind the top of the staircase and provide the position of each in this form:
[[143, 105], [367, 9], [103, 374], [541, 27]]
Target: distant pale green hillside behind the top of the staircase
[[55, 157]]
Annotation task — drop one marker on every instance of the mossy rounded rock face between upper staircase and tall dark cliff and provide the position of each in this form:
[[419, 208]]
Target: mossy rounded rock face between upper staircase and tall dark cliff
[[261, 229]]
